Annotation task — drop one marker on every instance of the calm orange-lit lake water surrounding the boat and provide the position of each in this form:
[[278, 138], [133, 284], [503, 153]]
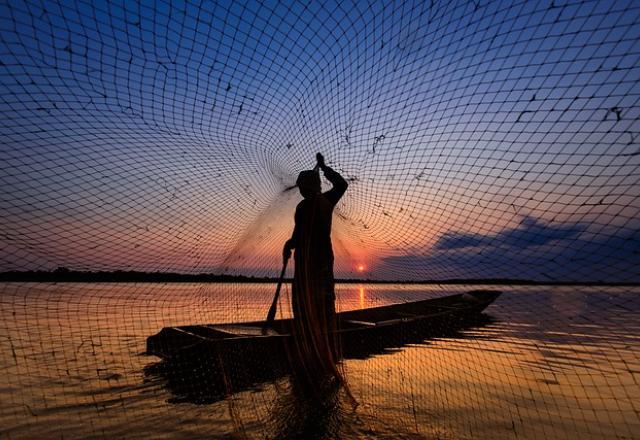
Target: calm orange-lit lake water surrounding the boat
[[553, 362]]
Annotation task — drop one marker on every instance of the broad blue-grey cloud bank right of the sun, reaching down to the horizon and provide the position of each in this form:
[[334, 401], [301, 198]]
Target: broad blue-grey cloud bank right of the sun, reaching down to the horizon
[[534, 250]]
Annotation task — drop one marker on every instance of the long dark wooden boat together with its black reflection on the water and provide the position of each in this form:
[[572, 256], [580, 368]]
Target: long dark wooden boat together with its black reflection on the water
[[205, 363]]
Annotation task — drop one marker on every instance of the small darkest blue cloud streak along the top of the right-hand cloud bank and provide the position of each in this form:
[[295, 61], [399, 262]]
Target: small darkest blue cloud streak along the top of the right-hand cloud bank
[[530, 232]]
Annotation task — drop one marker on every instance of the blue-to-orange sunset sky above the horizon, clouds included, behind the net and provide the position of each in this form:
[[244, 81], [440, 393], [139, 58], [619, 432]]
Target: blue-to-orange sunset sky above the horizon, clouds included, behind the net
[[481, 139]]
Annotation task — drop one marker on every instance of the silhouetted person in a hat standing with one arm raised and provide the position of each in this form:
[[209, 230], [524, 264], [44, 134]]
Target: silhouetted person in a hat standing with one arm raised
[[313, 296]]
